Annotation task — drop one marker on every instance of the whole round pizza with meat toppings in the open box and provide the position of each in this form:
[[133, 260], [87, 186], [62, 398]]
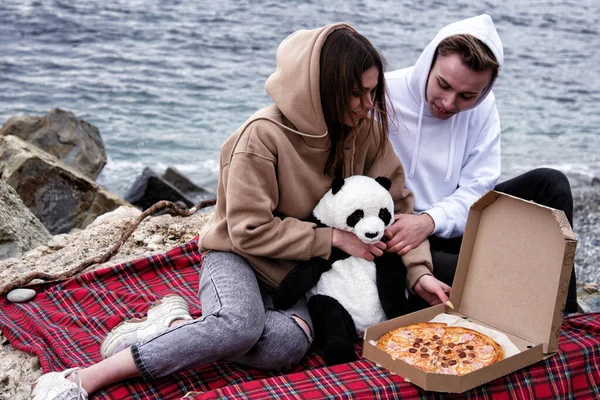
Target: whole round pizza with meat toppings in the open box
[[437, 347]]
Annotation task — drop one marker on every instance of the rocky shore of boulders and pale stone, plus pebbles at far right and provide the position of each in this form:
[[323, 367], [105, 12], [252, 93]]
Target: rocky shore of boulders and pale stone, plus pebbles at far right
[[97, 219]]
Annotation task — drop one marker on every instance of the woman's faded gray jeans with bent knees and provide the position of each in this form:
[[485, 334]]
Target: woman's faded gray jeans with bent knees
[[238, 323]]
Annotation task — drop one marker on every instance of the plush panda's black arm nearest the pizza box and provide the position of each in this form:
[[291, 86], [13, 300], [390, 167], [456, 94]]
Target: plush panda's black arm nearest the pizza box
[[391, 285]]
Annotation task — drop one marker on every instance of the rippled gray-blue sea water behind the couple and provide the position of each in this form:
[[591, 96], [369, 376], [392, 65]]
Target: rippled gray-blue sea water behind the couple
[[166, 82]]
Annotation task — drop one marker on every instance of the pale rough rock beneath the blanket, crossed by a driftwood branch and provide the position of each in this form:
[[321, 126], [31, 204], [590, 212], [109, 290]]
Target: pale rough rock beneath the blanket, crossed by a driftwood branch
[[21, 369]]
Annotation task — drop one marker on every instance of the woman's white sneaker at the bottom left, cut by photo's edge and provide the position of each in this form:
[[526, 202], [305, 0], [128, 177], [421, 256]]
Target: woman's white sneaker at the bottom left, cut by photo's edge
[[56, 386]]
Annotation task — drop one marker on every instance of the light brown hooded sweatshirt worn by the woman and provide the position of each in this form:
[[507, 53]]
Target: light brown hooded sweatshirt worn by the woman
[[271, 172]]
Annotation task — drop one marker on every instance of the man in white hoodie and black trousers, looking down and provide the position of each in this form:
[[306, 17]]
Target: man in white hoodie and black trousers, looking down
[[444, 126]]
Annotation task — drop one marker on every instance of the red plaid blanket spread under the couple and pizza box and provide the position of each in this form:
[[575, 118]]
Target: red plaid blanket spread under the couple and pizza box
[[66, 322]]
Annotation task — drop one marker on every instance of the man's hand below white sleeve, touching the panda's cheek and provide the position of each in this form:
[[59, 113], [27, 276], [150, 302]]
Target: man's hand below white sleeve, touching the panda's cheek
[[408, 232]]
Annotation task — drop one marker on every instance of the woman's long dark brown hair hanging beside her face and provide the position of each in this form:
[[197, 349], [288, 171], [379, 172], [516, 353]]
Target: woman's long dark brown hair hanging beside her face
[[345, 55]]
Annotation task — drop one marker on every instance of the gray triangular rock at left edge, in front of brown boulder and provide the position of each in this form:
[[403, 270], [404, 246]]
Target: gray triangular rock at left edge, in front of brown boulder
[[20, 230]]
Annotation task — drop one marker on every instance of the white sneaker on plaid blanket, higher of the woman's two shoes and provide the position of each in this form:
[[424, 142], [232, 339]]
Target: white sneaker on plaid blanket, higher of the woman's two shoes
[[160, 316]]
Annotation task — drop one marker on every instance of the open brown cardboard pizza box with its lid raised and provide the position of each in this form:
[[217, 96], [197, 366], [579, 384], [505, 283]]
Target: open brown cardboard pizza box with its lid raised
[[513, 274]]
